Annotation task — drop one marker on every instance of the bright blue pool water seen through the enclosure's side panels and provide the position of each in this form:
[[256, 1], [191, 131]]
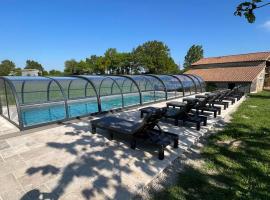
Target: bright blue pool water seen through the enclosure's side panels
[[39, 115]]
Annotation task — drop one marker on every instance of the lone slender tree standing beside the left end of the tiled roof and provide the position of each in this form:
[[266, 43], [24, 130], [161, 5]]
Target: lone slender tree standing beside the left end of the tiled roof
[[194, 54]]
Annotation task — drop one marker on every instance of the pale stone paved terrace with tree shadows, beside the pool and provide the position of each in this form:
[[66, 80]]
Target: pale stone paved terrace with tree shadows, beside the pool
[[68, 162]]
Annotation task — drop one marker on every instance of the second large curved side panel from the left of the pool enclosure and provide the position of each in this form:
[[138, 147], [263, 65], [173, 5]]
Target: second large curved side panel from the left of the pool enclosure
[[81, 96]]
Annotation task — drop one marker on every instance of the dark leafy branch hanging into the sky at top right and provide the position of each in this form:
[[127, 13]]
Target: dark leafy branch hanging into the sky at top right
[[247, 9]]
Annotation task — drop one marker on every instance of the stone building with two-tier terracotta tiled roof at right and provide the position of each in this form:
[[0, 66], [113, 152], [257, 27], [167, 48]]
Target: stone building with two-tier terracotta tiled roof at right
[[250, 70]]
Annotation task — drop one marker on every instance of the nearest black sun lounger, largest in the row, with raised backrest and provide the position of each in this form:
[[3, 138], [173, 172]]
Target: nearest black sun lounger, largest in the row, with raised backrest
[[139, 130]]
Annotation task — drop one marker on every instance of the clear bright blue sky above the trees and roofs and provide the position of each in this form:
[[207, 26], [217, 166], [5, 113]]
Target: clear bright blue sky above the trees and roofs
[[53, 31]]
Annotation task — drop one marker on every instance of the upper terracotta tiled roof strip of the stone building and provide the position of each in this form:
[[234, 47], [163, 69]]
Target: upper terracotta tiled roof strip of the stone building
[[260, 56]]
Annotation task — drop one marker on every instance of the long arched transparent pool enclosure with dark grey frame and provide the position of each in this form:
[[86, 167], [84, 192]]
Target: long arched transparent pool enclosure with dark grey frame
[[30, 102]]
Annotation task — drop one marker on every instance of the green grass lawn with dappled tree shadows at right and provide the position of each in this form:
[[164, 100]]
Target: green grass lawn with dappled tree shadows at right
[[236, 160]]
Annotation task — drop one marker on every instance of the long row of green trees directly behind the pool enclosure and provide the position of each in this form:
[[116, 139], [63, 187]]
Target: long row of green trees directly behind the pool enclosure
[[152, 57]]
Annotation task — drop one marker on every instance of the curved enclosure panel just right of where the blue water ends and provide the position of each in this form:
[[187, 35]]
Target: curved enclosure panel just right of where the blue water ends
[[173, 86]]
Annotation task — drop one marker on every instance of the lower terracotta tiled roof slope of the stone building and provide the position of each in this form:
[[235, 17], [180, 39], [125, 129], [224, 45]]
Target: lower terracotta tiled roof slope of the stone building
[[228, 74]]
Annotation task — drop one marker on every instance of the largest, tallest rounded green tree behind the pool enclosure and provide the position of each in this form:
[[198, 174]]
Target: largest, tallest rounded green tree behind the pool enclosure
[[154, 57]]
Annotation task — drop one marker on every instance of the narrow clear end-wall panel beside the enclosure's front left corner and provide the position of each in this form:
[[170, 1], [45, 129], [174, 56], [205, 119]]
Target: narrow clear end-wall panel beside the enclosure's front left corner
[[13, 114]]
